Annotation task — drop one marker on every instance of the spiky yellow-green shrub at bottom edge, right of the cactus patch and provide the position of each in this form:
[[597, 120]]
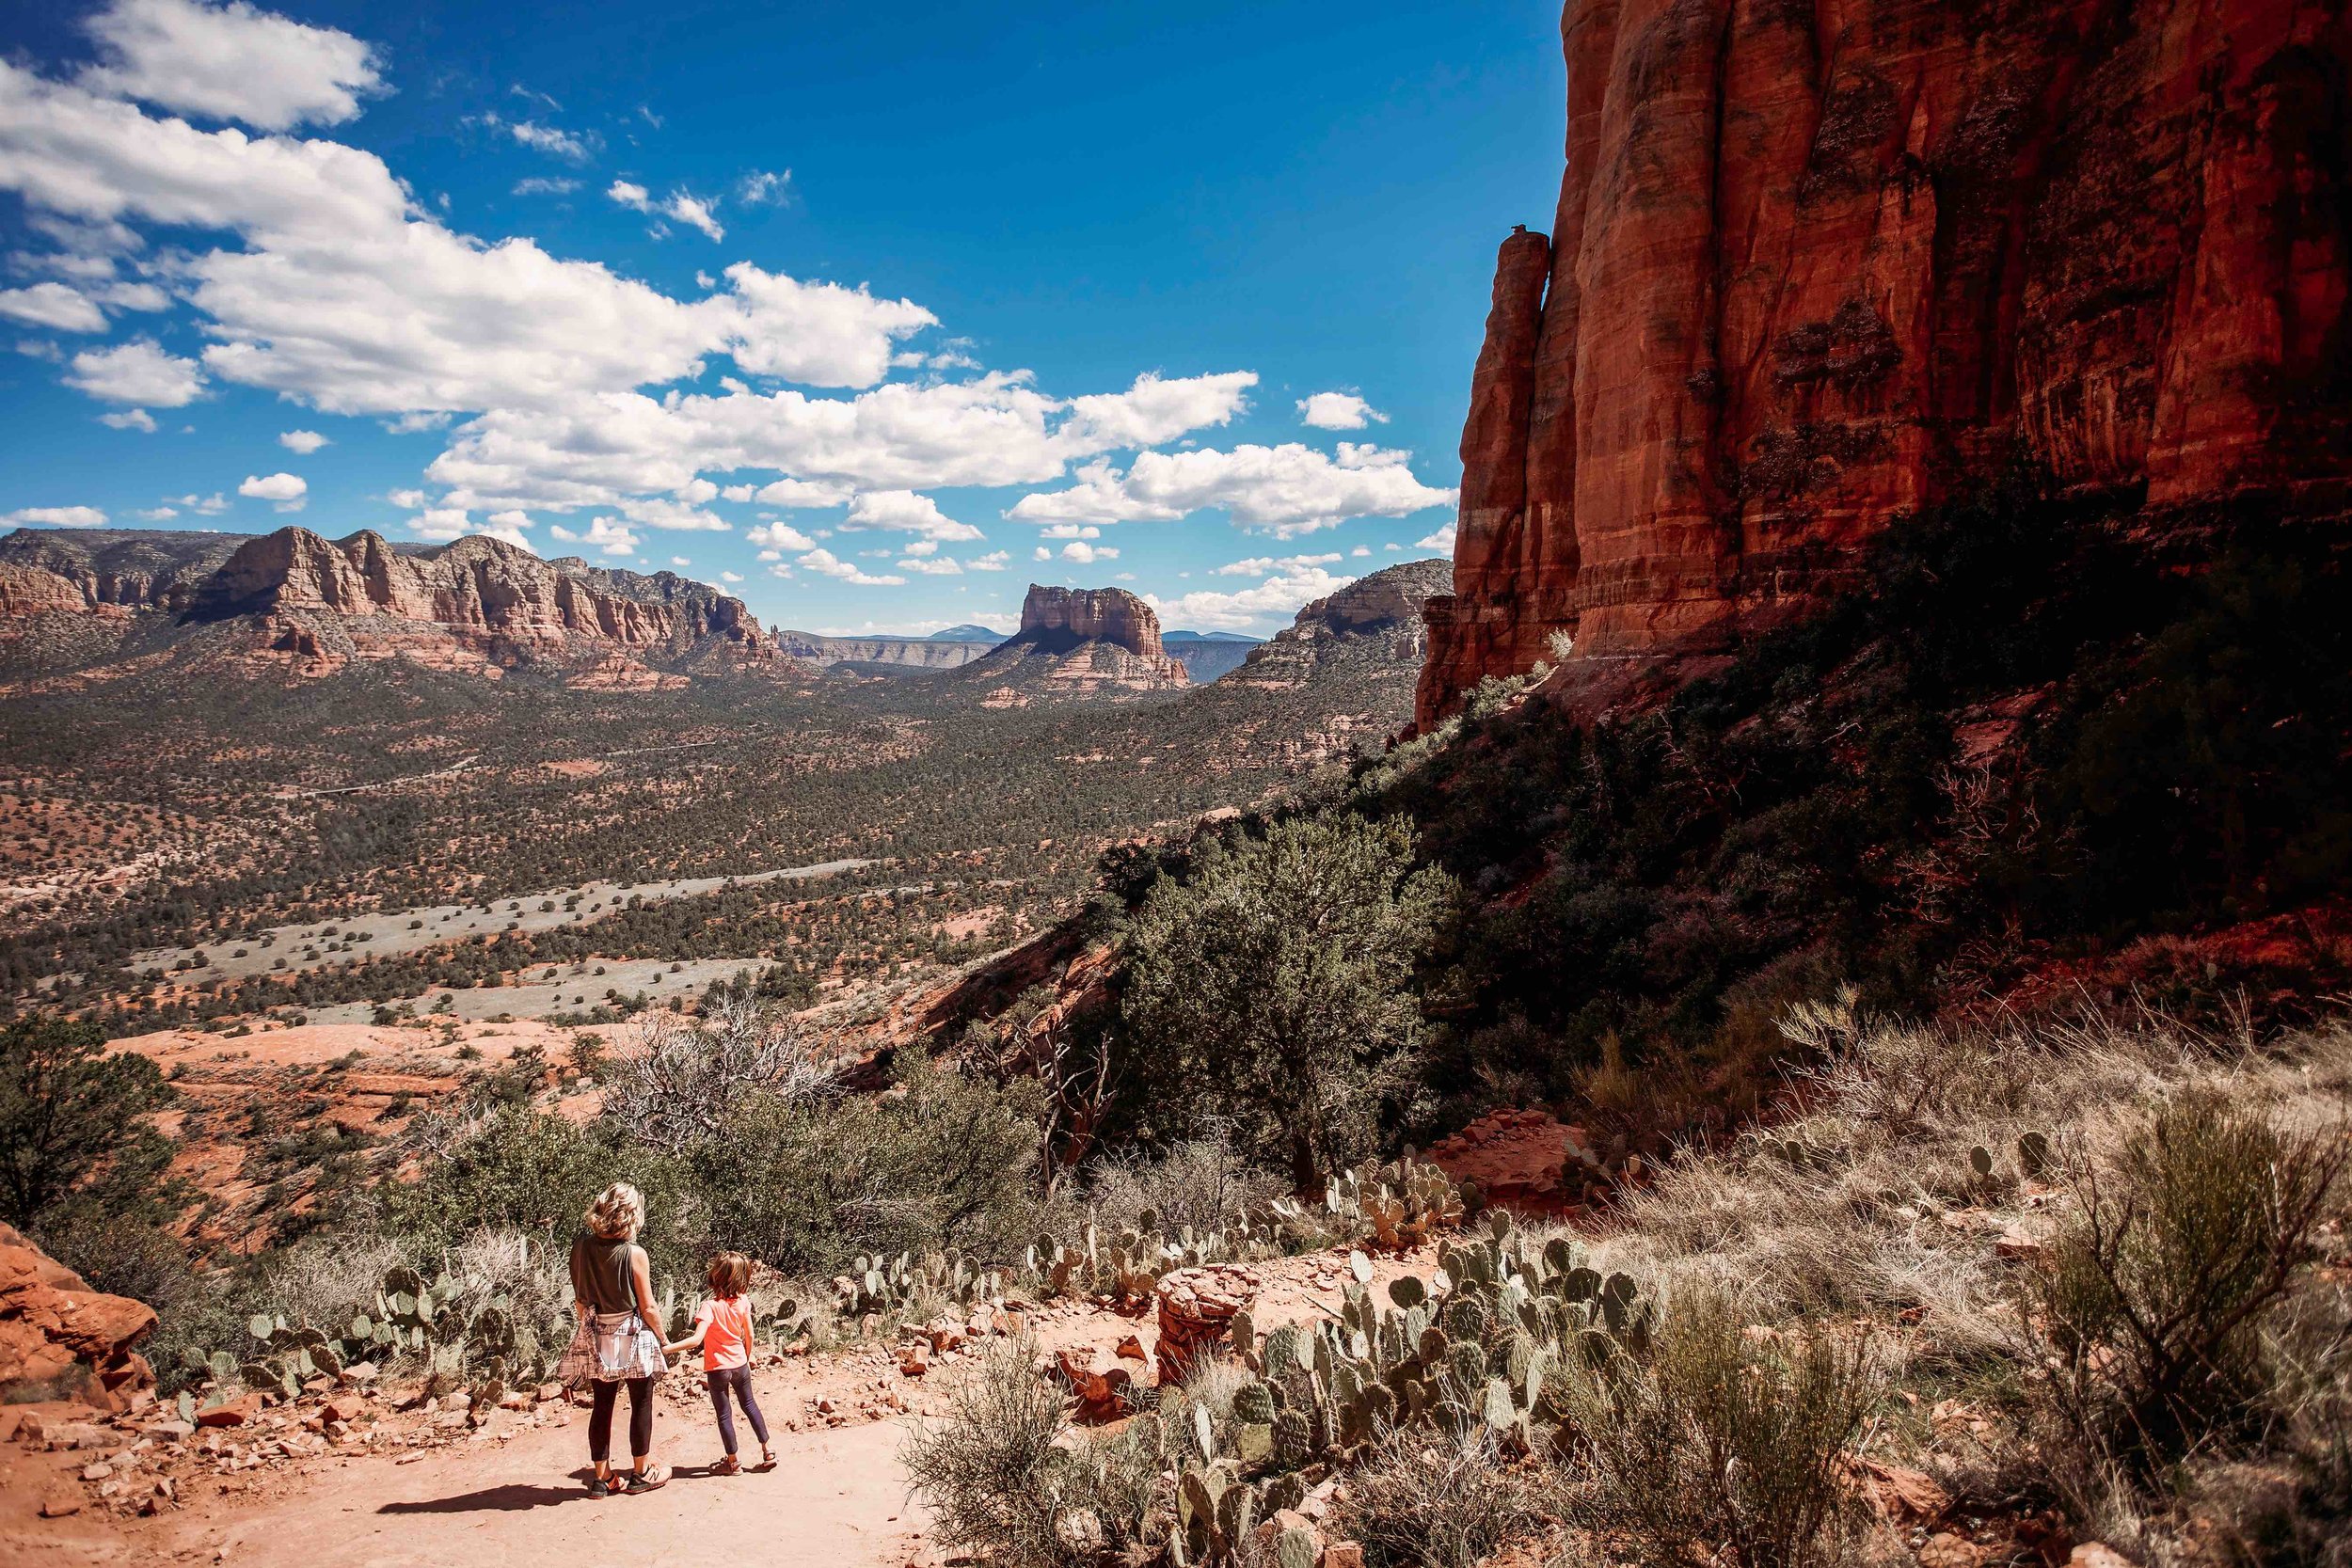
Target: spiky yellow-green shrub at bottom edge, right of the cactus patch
[[1723, 1447]]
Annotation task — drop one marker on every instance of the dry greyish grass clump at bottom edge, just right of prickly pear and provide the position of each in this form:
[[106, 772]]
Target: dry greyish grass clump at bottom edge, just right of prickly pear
[[1443, 1501]]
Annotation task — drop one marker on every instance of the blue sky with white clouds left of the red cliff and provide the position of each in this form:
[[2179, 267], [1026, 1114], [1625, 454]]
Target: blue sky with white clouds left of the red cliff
[[848, 309]]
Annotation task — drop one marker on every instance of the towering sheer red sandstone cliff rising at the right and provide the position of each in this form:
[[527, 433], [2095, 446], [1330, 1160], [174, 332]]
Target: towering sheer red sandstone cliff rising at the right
[[1822, 262]]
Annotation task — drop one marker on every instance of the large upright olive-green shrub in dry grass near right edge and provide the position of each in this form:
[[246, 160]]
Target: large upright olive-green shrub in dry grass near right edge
[[2156, 1301]]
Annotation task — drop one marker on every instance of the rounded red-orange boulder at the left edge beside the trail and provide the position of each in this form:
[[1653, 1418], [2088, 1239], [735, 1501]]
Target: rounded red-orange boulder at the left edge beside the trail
[[58, 1336]]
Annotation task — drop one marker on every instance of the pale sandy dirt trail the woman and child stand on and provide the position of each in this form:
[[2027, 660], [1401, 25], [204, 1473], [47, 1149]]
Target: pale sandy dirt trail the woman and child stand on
[[415, 1494]]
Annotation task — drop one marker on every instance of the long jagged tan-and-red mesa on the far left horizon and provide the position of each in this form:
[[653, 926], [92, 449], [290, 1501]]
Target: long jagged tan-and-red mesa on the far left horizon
[[321, 603]]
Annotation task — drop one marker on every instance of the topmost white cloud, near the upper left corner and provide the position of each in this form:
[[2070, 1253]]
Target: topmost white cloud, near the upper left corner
[[229, 62]]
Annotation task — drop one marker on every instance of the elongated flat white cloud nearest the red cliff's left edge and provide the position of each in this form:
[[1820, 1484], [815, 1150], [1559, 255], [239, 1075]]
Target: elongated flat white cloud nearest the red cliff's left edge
[[1274, 490]]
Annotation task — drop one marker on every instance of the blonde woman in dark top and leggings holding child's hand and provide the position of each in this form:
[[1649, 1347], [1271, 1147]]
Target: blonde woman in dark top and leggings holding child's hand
[[613, 1294]]
